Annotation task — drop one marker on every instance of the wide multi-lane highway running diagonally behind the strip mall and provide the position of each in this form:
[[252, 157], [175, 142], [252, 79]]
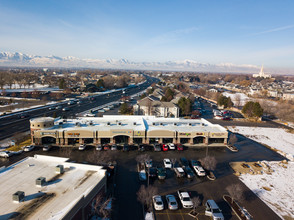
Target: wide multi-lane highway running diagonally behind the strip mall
[[12, 125]]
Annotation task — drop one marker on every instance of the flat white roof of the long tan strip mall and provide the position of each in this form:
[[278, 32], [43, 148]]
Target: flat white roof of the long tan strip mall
[[137, 123]]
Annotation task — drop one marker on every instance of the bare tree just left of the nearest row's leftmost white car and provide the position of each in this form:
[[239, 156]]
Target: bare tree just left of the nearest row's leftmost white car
[[145, 194]]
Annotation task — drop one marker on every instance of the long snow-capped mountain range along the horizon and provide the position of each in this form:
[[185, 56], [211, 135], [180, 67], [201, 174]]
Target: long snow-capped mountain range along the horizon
[[24, 60]]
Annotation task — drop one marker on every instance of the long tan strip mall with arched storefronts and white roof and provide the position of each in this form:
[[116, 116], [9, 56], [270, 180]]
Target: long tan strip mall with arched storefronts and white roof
[[117, 129]]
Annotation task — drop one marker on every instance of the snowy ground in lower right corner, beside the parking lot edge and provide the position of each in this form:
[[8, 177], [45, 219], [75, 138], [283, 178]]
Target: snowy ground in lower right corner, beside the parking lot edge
[[276, 190]]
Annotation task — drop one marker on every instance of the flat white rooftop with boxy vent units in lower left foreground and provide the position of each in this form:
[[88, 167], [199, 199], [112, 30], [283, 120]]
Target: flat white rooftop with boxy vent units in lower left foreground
[[57, 197]]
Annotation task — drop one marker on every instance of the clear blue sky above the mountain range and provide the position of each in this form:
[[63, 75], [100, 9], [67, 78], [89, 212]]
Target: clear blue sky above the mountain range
[[220, 31]]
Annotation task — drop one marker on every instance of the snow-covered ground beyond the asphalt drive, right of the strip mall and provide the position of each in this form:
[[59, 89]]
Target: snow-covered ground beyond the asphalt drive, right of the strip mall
[[277, 138]]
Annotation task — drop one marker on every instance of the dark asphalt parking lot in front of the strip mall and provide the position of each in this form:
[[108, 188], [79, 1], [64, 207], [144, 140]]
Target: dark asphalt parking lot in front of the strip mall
[[127, 183]]
